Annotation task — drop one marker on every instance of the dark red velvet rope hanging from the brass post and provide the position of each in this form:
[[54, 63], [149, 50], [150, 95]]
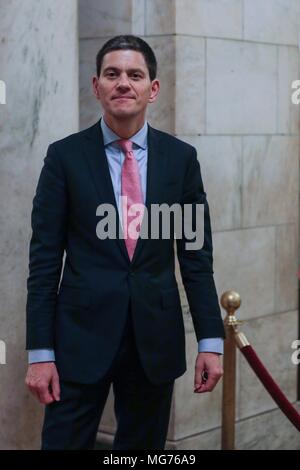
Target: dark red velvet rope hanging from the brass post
[[273, 389]]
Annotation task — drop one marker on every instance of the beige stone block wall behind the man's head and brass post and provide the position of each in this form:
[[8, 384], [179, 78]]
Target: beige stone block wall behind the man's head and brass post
[[226, 68]]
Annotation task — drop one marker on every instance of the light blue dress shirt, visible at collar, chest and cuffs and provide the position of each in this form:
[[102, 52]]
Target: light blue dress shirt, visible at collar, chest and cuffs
[[115, 158]]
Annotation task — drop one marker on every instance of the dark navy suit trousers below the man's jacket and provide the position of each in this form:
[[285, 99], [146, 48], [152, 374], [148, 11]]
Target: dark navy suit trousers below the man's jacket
[[142, 409]]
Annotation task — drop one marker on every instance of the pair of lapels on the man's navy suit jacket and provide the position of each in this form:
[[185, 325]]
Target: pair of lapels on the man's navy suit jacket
[[99, 169]]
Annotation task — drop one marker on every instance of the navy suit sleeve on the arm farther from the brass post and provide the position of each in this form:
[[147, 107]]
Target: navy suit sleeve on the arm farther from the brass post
[[48, 222]]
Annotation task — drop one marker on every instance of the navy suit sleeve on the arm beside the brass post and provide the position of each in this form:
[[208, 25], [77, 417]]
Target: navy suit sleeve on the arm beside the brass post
[[196, 265]]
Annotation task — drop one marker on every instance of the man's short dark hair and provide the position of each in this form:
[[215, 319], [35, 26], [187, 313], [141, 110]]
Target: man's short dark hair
[[128, 42]]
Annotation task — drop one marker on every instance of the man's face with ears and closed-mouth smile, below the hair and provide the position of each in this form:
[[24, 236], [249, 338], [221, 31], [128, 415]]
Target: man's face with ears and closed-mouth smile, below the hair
[[124, 87]]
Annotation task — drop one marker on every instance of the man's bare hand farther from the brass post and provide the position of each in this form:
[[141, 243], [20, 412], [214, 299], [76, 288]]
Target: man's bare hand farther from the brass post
[[43, 382]]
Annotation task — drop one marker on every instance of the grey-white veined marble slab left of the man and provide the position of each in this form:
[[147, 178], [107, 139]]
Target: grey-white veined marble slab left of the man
[[39, 65]]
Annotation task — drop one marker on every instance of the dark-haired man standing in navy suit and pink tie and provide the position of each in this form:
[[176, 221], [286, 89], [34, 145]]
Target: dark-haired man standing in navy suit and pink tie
[[117, 317]]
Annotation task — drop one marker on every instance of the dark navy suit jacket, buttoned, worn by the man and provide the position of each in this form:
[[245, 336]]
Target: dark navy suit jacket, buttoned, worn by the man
[[83, 317]]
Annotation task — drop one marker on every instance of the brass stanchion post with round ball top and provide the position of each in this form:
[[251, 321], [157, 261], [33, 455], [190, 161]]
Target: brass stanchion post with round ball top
[[230, 301]]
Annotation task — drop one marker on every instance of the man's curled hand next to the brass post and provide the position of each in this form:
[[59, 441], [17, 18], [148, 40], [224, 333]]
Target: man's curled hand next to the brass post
[[208, 370]]
